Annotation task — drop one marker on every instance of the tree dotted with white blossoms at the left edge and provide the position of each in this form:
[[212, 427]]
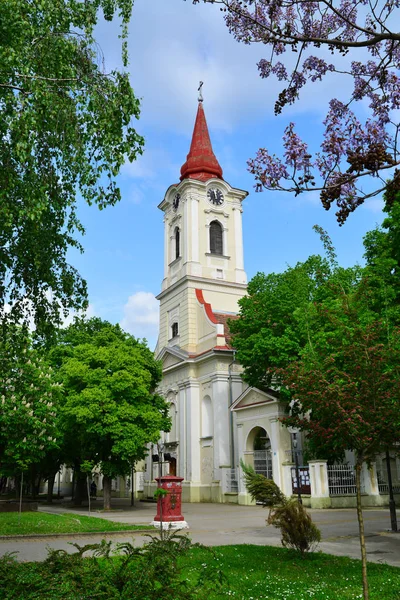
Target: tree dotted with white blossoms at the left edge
[[29, 396]]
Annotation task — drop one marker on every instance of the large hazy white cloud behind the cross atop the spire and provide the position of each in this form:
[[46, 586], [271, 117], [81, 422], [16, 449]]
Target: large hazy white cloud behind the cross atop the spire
[[174, 45]]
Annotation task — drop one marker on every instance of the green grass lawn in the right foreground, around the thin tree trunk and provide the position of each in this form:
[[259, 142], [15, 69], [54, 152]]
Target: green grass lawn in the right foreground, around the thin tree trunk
[[268, 573]]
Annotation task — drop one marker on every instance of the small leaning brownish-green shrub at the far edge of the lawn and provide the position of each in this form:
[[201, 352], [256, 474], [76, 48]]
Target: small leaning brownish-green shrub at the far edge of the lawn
[[297, 529]]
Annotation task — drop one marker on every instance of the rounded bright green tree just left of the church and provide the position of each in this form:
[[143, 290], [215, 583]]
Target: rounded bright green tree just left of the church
[[111, 410]]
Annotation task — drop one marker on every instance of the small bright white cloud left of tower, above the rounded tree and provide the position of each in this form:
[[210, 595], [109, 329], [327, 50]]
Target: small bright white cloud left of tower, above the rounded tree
[[141, 316]]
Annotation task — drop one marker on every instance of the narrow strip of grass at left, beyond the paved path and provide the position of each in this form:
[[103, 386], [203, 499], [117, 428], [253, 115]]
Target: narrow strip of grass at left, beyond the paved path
[[40, 522]]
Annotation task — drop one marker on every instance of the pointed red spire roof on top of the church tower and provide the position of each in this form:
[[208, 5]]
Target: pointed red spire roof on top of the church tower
[[201, 163]]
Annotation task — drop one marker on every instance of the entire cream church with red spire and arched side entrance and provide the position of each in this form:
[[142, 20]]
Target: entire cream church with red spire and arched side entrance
[[216, 418]]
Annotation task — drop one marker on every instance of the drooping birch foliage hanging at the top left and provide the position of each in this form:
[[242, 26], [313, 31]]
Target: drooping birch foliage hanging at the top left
[[65, 131]]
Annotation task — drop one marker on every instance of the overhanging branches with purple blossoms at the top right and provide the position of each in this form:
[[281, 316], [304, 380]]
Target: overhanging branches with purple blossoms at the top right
[[305, 42]]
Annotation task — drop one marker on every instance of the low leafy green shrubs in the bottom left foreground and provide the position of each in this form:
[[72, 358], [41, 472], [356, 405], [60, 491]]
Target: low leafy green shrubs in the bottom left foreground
[[151, 572]]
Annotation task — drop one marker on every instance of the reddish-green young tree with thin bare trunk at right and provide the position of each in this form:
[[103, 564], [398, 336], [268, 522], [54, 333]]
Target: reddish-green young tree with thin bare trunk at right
[[346, 385]]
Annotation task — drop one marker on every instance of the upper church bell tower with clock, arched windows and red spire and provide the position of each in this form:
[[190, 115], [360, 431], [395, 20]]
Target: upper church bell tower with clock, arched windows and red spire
[[203, 247]]
